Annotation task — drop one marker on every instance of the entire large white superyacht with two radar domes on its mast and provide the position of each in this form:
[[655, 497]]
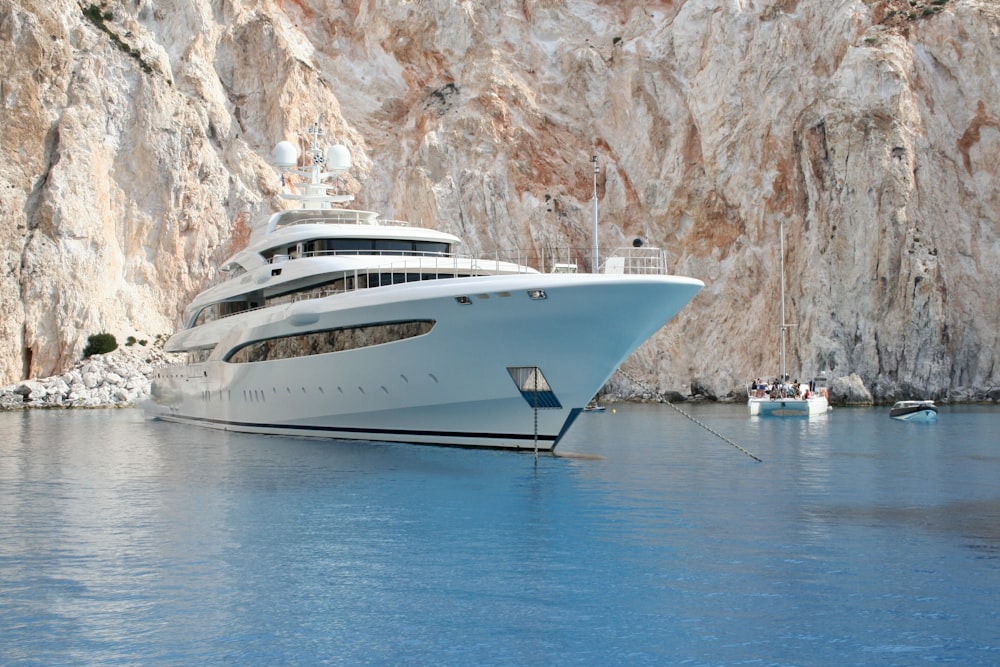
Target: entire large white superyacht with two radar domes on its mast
[[335, 323]]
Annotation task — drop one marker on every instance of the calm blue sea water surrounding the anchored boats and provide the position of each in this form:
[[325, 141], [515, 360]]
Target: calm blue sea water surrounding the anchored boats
[[858, 540]]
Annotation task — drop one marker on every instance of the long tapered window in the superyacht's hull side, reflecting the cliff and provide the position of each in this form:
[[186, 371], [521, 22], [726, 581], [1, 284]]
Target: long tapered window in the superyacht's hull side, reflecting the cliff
[[330, 340]]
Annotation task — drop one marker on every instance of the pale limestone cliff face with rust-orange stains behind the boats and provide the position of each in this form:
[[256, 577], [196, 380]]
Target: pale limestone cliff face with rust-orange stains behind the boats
[[136, 137]]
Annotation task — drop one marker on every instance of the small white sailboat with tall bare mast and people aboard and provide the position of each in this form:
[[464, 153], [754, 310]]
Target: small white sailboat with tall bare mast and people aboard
[[781, 398]]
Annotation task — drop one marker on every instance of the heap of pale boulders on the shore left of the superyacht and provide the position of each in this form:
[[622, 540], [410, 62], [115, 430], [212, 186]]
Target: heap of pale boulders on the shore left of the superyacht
[[120, 378]]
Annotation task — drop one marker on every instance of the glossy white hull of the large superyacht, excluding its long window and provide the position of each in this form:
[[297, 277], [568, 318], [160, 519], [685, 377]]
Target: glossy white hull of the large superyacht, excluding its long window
[[451, 386]]
